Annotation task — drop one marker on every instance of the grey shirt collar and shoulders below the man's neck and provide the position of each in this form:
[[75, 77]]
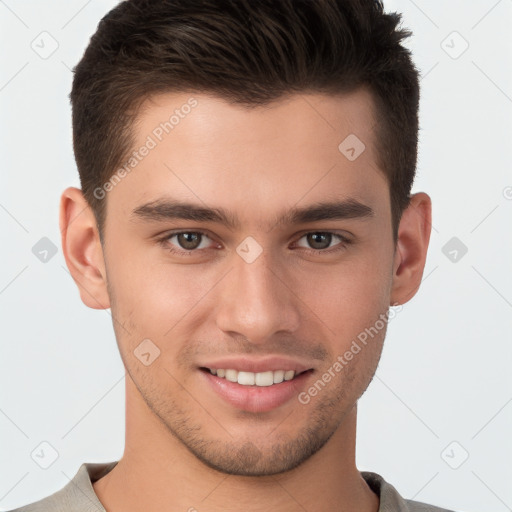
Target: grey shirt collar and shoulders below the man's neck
[[79, 496]]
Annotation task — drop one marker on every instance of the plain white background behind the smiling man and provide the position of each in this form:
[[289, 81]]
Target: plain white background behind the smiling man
[[445, 372]]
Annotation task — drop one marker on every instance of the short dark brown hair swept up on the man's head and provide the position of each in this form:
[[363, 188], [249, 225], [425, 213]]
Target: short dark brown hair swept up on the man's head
[[248, 52]]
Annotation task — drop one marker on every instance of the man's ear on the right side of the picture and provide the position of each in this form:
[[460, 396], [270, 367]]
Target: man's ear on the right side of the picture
[[411, 249]]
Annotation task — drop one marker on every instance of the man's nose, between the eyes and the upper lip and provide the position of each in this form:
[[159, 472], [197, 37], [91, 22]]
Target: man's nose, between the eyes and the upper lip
[[257, 300]]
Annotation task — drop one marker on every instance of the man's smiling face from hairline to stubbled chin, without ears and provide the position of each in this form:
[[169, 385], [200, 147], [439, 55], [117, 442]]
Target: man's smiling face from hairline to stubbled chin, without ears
[[219, 252]]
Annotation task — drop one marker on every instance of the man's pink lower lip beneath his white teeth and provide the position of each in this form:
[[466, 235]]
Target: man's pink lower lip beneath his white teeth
[[257, 398]]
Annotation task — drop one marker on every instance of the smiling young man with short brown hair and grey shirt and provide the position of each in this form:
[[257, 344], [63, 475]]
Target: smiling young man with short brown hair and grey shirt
[[245, 212]]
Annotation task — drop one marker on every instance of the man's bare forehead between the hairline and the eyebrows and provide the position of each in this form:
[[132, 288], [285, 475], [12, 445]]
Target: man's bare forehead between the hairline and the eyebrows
[[298, 149]]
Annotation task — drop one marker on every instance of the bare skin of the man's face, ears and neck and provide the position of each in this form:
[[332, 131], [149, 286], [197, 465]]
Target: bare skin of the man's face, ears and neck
[[186, 448]]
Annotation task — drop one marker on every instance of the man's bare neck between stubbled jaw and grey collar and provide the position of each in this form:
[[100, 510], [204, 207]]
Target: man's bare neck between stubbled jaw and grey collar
[[158, 473]]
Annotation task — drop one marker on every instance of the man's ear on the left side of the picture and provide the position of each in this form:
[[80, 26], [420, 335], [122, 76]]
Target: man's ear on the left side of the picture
[[82, 248]]
